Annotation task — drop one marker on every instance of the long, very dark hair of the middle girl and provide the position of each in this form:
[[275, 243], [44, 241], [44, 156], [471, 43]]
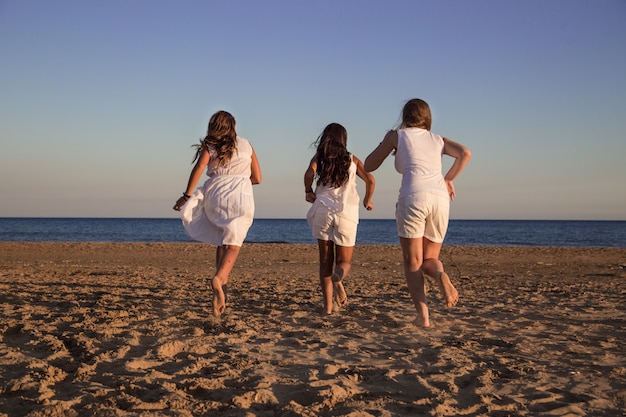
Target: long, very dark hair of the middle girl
[[332, 156]]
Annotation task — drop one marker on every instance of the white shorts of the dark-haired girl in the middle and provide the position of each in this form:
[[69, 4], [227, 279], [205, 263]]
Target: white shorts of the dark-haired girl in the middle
[[330, 226]]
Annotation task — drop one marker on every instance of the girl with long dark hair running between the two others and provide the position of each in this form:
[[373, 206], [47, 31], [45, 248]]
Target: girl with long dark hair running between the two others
[[334, 215]]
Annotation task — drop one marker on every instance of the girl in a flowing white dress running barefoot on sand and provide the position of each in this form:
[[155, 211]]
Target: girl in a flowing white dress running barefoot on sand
[[221, 211]]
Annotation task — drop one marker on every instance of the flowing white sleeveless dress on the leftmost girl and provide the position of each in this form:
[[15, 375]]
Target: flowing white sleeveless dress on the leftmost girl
[[221, 211]]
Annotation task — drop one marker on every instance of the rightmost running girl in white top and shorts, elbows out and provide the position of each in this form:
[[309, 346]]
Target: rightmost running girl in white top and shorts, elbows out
[[423, 207]]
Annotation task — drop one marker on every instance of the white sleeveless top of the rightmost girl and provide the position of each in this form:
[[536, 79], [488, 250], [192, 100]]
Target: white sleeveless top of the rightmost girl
[[418, 159]]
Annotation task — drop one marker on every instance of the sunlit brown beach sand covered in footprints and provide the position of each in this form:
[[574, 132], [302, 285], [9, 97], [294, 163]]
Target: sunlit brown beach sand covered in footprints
[[102, 329]]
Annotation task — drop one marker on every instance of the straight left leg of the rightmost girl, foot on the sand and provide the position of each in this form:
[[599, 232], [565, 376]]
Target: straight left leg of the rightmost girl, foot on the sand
[[412, 256]]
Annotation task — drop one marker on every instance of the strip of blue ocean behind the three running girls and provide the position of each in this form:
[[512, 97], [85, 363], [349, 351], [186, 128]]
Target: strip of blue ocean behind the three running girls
[[460, 232]]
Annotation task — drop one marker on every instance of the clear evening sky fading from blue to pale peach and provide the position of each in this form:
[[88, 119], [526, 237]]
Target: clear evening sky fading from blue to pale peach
[[100, 101]]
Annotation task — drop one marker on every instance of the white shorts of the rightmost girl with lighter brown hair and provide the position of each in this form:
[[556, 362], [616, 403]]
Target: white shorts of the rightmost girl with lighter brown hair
[[423, 215]]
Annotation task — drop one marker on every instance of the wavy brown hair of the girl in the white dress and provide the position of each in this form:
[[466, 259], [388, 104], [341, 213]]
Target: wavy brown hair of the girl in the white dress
[[221, 136]]
